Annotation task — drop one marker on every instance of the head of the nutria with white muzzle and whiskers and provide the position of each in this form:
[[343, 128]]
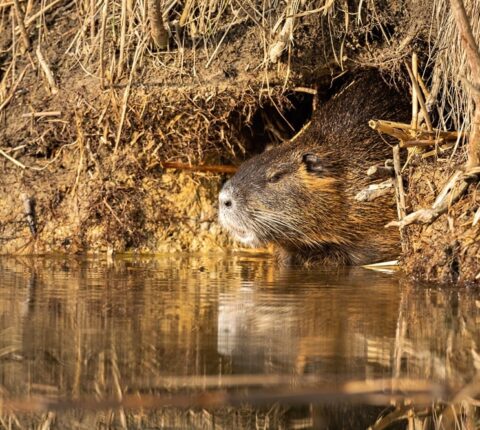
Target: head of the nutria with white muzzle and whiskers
[[290, 195]]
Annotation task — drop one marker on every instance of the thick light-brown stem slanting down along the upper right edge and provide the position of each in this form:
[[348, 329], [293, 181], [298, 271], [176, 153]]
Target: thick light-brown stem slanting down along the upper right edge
[[473, 59]]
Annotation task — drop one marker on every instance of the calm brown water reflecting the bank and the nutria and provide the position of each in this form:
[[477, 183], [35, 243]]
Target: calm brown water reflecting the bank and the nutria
[[229, 341]]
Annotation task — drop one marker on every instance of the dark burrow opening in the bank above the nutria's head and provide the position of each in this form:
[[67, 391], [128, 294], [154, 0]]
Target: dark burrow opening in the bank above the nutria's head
[[272, 124]]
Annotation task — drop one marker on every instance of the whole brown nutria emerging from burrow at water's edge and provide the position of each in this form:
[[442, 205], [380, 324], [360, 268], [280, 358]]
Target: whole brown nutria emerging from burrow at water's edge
[[300, 195]]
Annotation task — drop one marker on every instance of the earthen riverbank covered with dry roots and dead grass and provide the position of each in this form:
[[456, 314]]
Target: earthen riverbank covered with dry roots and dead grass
[[97, 97]]
